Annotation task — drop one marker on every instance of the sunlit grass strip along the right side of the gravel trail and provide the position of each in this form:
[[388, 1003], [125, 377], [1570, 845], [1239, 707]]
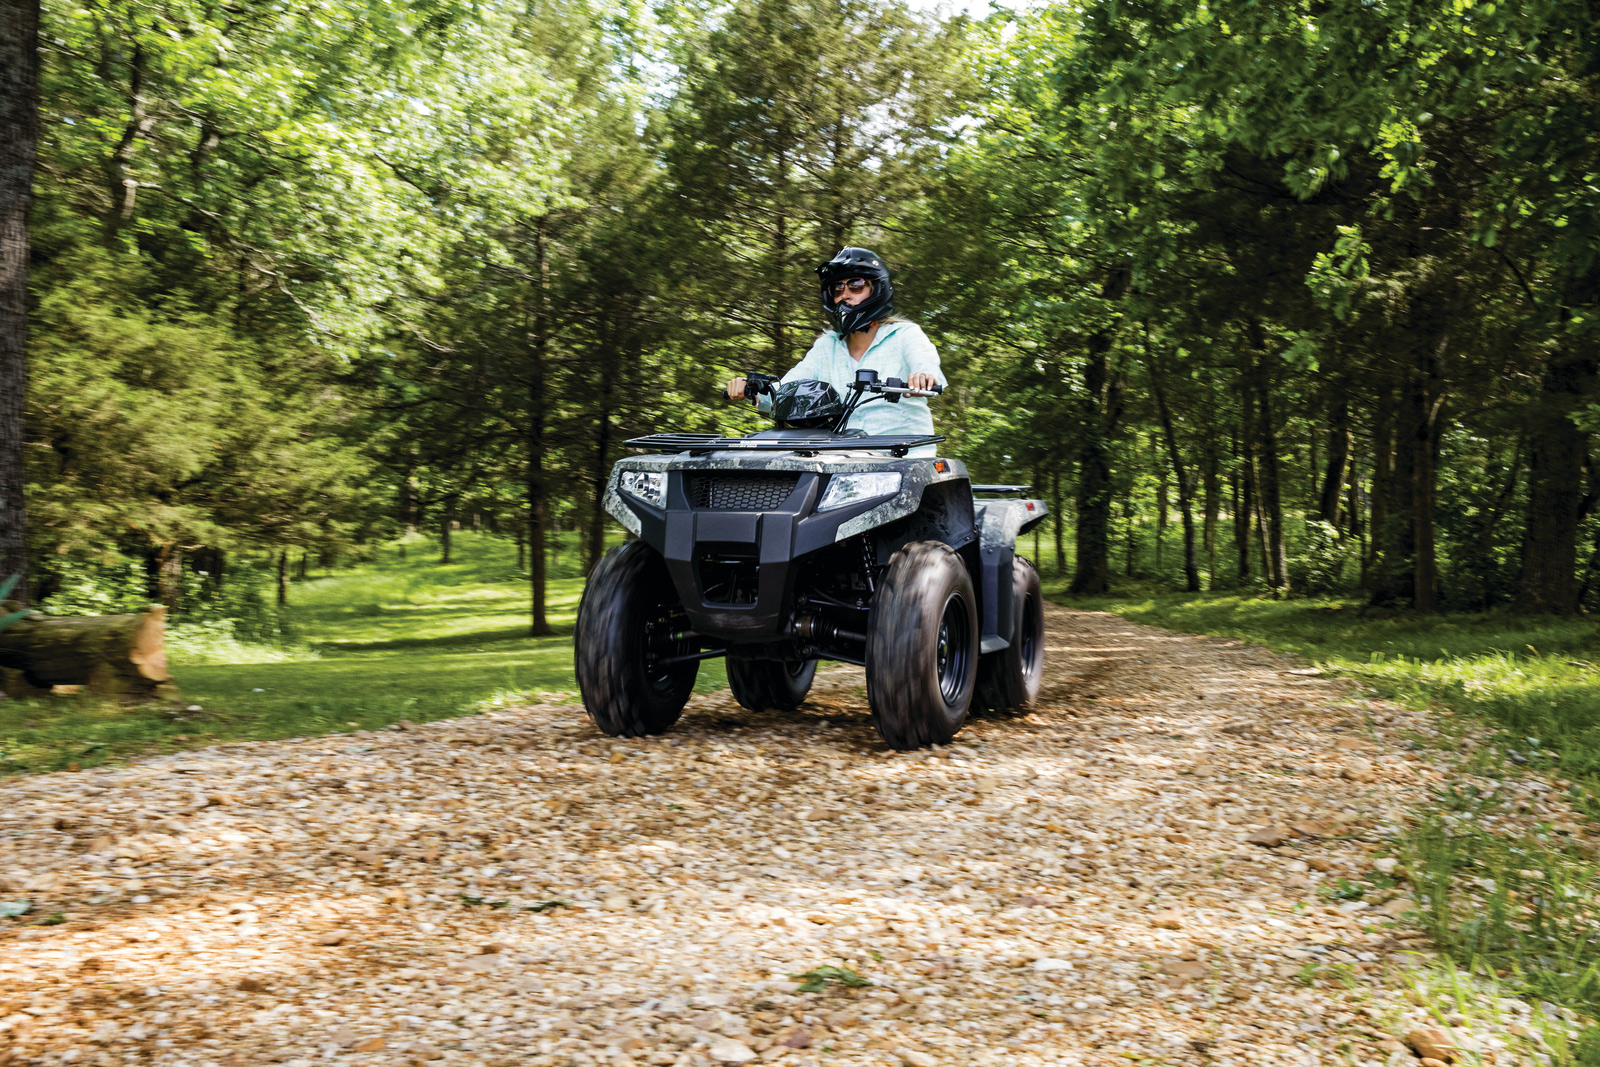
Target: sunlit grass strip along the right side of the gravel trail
[[1505, 889]]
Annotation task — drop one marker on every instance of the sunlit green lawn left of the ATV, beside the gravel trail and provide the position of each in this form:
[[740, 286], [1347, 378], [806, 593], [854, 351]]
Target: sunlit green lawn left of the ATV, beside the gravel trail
[[394, 639]]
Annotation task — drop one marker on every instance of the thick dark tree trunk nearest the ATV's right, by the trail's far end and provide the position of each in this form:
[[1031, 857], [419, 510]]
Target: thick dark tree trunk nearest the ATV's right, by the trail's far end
[[1098, 415]]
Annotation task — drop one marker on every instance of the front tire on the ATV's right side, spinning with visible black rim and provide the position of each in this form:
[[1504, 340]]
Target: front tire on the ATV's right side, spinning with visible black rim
[[922, 647]]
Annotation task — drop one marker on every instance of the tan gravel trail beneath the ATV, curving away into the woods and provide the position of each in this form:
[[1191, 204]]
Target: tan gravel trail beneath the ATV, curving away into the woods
[[1073, 887]]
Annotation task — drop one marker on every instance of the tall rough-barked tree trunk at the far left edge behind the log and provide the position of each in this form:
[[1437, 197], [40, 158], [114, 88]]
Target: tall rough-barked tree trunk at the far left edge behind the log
[[18, 153]]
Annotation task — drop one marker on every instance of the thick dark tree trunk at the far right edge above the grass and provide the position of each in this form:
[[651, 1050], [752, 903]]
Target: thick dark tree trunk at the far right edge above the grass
[[1556, 466]]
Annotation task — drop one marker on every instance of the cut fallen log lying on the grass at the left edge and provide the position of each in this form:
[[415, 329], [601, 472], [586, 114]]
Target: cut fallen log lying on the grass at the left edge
[[121, 657]]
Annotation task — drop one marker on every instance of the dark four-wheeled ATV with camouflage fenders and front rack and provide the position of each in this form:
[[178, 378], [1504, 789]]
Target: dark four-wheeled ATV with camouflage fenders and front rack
[[810, 543]]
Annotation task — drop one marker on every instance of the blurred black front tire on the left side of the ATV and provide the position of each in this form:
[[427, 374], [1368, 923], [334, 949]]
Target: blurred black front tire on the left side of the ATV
[[625, 621]]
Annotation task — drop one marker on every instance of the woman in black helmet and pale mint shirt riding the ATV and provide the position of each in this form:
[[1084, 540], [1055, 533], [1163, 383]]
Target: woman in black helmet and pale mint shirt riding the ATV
[[866, 335]]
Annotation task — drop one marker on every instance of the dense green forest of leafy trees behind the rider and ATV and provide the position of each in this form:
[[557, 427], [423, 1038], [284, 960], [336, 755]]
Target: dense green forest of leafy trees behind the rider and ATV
[[1292, 298]]
